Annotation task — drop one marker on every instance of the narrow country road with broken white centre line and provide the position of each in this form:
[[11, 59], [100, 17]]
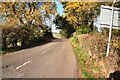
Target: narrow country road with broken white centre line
[[52, 60]]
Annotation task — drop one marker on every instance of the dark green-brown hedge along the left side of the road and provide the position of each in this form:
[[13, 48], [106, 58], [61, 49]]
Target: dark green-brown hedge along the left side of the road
[[13, 37]]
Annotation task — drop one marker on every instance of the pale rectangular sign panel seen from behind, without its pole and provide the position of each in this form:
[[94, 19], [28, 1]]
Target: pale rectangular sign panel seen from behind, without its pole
[[105, 17]]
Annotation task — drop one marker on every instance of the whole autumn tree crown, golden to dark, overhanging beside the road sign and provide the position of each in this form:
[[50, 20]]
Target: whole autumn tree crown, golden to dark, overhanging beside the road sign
[[82, 13]]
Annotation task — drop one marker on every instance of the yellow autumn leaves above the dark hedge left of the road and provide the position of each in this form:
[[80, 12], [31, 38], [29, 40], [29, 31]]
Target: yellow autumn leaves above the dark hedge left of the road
[[15, 11]]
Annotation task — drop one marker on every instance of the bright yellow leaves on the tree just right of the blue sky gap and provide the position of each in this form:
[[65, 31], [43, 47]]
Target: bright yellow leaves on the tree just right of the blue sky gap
[[79, 10]]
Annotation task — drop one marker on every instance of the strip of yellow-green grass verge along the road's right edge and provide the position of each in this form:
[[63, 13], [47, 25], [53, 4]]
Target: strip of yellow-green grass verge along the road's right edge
[[85, 65]]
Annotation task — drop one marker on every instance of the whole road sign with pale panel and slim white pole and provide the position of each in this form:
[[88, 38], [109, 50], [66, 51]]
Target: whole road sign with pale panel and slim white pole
[[110, 18]]
